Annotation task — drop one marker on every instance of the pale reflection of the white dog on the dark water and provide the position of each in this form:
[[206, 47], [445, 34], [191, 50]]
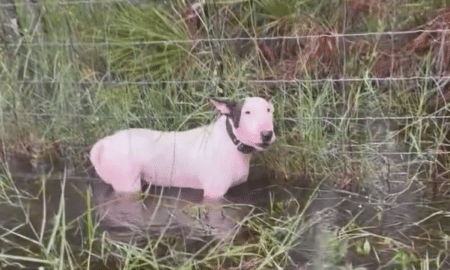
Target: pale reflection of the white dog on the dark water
[[172, 211]]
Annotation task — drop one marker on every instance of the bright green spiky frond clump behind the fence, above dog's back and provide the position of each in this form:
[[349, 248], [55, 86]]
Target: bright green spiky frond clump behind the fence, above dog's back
[[149, 41]]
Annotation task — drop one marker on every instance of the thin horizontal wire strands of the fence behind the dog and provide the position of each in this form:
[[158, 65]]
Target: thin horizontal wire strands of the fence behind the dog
[[438, 87]]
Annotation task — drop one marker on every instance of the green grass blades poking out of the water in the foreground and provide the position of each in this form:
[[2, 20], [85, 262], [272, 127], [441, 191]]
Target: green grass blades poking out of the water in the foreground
[[40, 228]]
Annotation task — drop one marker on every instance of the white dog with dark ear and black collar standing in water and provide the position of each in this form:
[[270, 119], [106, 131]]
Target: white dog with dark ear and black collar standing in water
[[212, 158]]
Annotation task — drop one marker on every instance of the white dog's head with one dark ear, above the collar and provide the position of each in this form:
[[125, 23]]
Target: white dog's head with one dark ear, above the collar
[[252, 120]]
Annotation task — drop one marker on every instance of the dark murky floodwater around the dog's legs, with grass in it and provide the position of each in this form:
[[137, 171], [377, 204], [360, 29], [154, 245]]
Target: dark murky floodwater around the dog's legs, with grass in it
[[390, 207]]
